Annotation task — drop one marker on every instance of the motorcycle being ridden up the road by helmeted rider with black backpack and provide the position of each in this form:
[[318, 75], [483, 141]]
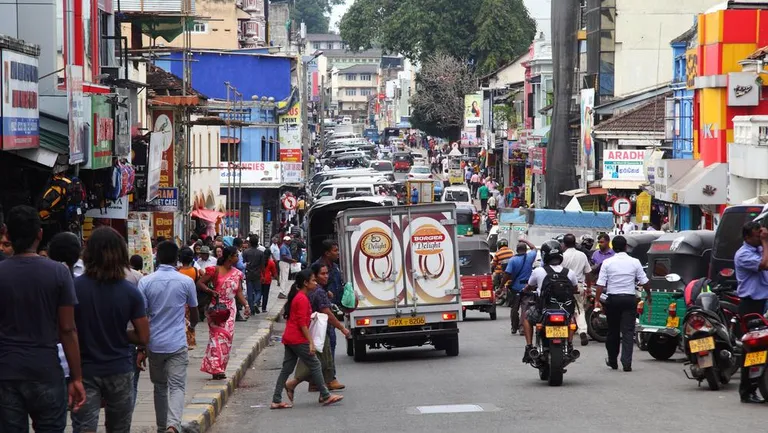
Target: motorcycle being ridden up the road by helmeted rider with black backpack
[[552, 352]]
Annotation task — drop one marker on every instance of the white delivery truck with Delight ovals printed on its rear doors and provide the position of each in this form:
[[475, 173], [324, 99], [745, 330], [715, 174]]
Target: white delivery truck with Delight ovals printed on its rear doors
[[403, 263]]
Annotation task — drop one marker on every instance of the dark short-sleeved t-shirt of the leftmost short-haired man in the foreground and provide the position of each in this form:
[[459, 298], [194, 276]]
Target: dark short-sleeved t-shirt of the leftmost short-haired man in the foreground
[[32, 289]]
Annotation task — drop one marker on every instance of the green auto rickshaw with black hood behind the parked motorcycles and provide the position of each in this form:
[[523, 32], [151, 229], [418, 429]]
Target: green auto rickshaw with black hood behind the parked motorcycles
[[687, 254]]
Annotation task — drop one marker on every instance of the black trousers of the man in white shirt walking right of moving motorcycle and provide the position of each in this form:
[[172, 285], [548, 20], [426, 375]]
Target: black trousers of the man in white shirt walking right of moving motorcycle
[[620, 311]]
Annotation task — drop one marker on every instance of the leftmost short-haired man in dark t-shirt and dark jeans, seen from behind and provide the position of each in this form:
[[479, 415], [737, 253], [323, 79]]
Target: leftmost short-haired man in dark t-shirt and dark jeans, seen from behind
[[37, 312]]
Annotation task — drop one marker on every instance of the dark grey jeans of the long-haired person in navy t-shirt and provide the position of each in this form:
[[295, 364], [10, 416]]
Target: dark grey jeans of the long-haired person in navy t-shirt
[[117, 393]]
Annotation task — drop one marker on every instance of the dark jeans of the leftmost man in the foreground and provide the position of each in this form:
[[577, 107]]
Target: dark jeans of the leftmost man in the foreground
[[44, 402]]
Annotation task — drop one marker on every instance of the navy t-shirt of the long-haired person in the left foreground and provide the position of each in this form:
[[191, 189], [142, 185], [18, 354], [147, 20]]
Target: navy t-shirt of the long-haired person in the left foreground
[[101, 316]]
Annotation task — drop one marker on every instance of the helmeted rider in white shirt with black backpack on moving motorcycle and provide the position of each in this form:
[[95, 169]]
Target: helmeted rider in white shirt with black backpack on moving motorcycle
[[552, 259]]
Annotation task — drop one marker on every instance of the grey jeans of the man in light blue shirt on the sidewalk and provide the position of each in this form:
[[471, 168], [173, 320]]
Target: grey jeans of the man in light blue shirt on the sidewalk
[[168, 372]]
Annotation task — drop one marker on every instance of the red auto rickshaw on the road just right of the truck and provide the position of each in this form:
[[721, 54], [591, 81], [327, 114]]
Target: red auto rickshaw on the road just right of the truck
[[476, 277]]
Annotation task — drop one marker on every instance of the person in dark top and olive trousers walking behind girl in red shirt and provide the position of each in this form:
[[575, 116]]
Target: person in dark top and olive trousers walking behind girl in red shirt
[[320, 302]]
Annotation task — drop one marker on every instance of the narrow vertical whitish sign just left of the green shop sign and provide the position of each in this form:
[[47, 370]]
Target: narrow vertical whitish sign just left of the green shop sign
[[79, 130]]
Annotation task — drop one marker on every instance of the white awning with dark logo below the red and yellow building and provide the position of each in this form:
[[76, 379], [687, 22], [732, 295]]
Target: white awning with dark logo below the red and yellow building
[[702, 185]]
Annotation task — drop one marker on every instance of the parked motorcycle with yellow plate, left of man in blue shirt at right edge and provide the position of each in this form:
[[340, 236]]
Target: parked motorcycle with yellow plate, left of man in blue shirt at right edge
[[708, 341]]
